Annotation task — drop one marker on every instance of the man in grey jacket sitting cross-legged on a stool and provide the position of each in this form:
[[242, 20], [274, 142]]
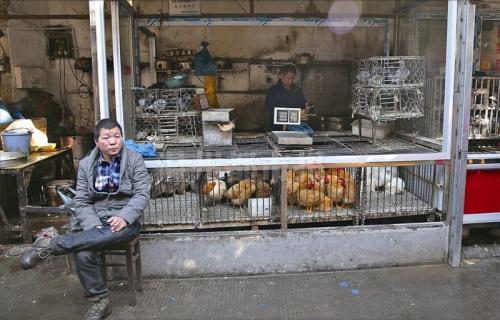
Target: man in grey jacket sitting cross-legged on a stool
[[111, 194]]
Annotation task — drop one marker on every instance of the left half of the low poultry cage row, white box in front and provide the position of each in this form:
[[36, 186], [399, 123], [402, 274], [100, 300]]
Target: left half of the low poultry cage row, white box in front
[[201, 198]]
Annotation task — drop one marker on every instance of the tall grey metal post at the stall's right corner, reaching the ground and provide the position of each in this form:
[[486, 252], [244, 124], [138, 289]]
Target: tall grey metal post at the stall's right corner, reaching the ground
[[460, 141]]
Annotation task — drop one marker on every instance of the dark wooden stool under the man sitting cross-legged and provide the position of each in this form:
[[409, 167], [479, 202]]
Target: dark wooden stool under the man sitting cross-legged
[[132, 252]]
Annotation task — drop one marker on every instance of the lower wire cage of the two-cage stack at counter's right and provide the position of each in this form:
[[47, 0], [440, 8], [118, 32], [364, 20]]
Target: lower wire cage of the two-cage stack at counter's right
[[388, 104]]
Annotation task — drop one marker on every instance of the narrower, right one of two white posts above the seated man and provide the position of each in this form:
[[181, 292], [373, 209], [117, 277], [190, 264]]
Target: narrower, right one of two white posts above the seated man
[[117, 62]]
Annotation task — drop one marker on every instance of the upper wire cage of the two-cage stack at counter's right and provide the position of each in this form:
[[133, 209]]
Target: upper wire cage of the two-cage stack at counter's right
[[391, 71]]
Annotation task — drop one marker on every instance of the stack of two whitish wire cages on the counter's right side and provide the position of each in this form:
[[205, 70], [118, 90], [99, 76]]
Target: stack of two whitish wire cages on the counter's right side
[[389, 88]]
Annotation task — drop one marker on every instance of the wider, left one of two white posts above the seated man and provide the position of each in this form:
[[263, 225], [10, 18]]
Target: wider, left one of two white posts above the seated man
[[96, 11]]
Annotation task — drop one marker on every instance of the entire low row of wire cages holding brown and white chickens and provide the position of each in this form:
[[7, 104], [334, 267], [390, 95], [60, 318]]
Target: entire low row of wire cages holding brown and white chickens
[[196, 199]]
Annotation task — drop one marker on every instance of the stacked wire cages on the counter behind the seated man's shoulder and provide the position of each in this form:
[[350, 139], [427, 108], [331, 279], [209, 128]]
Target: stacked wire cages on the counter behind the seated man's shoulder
[[166, 116]]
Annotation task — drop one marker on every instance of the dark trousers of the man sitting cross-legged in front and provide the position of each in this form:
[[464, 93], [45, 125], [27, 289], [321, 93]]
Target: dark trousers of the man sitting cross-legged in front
[[85, 245]]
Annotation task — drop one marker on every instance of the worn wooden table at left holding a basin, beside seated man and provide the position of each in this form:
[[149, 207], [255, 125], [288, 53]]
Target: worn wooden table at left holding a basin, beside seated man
[[23, 168]]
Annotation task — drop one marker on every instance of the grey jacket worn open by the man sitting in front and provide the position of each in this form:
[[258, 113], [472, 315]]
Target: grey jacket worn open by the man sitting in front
[[128, 202]]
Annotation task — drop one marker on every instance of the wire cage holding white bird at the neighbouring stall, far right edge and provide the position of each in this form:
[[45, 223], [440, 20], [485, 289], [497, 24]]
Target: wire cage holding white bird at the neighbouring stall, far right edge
[[484, 111]]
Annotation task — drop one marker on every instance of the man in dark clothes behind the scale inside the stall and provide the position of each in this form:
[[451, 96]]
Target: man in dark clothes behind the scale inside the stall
[[286, 94]]
